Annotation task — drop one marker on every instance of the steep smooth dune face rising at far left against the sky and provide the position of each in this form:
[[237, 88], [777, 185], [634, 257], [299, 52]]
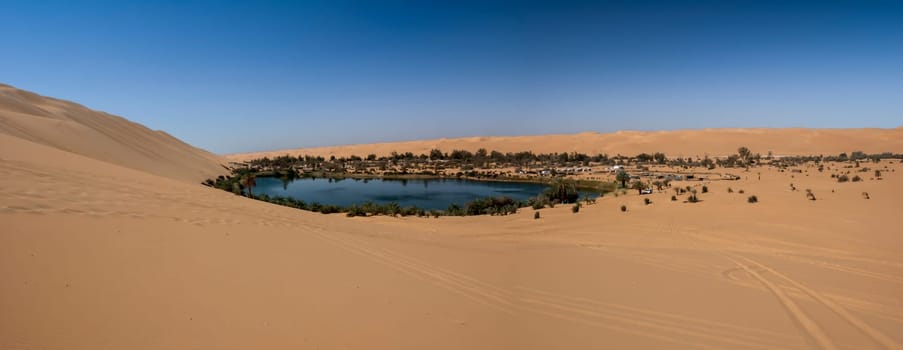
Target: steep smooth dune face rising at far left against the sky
[[74, 128]]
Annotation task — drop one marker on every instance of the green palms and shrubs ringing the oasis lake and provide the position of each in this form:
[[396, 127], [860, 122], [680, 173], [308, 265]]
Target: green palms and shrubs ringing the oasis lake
[[550, 168]]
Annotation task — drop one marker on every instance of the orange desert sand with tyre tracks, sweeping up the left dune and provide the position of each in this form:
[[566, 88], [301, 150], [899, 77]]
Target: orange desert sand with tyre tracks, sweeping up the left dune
[[107, 241]]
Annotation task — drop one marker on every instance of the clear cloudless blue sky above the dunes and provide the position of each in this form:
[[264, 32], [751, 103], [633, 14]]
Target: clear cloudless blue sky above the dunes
[[241, 76]]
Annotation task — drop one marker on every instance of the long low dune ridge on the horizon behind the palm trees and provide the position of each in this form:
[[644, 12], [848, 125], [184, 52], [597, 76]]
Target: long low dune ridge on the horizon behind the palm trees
[[680, 143]]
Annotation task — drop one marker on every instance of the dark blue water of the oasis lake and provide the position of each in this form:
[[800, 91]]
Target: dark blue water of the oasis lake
[[423, 193]]
